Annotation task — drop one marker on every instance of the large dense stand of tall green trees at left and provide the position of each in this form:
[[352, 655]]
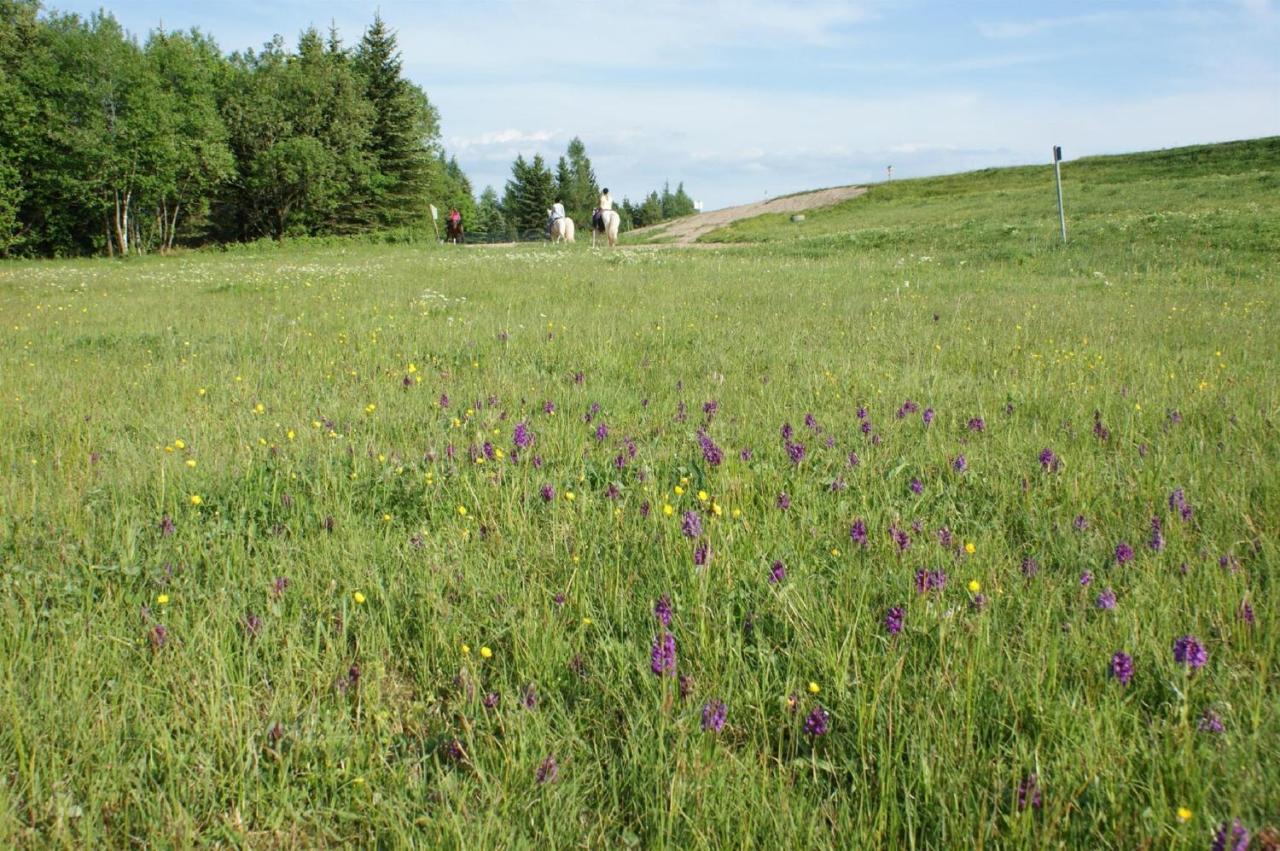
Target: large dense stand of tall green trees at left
[[109, 145]]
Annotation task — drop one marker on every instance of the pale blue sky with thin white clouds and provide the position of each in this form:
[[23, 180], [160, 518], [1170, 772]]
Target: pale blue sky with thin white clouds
[[747, 99]]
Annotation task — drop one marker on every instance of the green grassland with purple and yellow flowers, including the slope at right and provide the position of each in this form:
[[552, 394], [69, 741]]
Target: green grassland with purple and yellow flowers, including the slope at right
[[973, 536]]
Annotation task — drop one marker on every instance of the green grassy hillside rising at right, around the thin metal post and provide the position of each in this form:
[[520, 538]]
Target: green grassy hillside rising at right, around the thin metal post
[[1215, 199]]
